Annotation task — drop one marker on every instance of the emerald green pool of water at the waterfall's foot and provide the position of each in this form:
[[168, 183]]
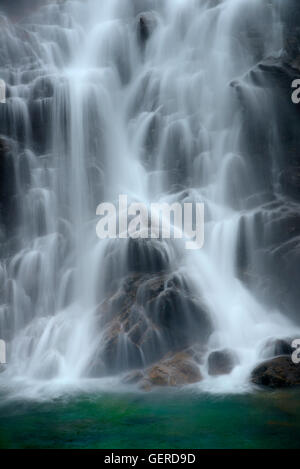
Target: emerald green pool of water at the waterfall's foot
[[154, 421]]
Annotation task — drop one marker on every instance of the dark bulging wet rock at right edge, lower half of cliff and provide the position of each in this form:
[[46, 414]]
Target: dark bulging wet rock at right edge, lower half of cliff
[[276, 236]]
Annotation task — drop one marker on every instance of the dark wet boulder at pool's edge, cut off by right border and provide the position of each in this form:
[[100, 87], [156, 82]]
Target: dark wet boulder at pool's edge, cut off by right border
[[279, 372]]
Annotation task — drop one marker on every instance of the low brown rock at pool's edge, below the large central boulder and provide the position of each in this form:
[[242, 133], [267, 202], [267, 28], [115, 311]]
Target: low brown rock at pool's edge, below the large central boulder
[[177, 370]]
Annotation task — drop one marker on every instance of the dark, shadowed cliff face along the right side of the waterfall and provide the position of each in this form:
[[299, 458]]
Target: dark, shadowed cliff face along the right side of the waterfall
[[274, 147]]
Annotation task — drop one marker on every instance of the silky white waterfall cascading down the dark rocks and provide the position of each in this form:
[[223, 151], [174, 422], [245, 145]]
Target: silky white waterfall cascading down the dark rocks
[[141, 98]]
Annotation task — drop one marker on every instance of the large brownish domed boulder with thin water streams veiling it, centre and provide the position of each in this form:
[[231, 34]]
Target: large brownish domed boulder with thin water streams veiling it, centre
[[148, 317]]
